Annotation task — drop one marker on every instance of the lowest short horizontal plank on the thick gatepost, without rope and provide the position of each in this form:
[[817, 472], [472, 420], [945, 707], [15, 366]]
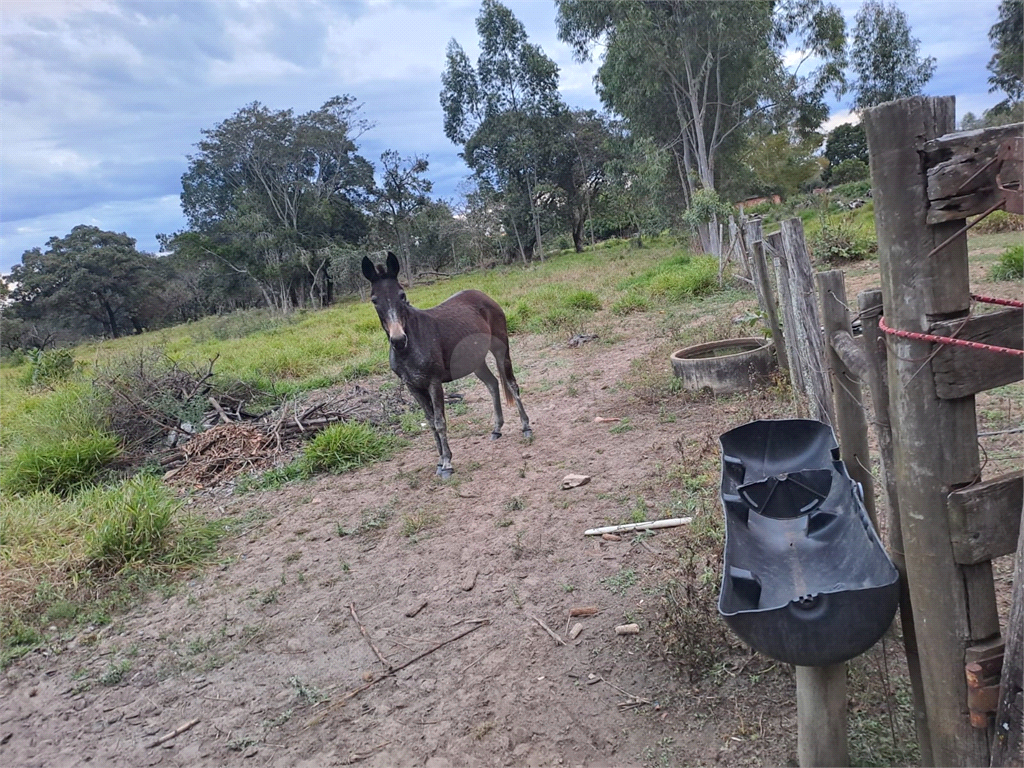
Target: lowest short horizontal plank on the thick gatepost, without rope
[[985, 519]]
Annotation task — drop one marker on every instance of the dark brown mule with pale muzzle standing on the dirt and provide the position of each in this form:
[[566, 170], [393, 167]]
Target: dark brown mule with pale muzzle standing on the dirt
[[442, 345]]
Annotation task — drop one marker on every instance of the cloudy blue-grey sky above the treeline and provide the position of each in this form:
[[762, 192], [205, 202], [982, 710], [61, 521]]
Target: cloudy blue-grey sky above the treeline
[[103, 101]]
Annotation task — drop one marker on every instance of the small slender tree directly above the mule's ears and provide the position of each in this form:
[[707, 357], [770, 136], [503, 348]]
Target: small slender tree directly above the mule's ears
[[402, 193]]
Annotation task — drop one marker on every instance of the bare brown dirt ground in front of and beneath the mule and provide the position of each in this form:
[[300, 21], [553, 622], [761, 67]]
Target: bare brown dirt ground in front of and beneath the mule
[[264, 650]]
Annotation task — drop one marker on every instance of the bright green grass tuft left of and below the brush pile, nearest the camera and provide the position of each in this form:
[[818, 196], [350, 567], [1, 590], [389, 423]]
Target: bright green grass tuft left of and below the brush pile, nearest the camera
[[133, 523]]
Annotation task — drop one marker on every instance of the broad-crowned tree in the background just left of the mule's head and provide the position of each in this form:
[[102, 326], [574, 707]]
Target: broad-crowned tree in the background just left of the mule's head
[[271, 194]]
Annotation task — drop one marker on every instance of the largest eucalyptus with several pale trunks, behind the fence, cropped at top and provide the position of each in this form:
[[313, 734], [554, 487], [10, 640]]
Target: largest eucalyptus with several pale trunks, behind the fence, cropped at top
[[693, 74]]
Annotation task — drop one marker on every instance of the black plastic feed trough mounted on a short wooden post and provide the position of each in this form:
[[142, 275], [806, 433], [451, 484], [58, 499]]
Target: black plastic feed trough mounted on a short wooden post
[[806, 580]]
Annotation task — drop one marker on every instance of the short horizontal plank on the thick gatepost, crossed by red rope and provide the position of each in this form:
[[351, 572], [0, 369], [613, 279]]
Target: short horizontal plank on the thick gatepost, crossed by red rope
[[961, 372]]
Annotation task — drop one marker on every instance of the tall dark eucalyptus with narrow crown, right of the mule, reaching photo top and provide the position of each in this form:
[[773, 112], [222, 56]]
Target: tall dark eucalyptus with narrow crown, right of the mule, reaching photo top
[[502, 113]]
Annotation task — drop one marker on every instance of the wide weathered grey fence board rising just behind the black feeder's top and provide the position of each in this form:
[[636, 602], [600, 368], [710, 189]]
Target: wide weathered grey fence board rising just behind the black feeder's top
[[807, 329]]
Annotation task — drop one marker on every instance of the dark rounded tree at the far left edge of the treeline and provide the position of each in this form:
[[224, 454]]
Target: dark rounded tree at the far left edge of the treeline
[[89, 275]]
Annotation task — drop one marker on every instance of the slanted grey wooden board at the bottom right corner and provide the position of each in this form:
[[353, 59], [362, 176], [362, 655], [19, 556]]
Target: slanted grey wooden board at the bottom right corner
[[1008, 747]]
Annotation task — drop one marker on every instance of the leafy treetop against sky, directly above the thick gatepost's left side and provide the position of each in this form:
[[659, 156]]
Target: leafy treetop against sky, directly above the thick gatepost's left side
[[884, 57]]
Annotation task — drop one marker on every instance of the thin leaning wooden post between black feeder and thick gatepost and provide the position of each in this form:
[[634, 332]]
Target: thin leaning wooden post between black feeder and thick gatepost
[[870, 304]]
